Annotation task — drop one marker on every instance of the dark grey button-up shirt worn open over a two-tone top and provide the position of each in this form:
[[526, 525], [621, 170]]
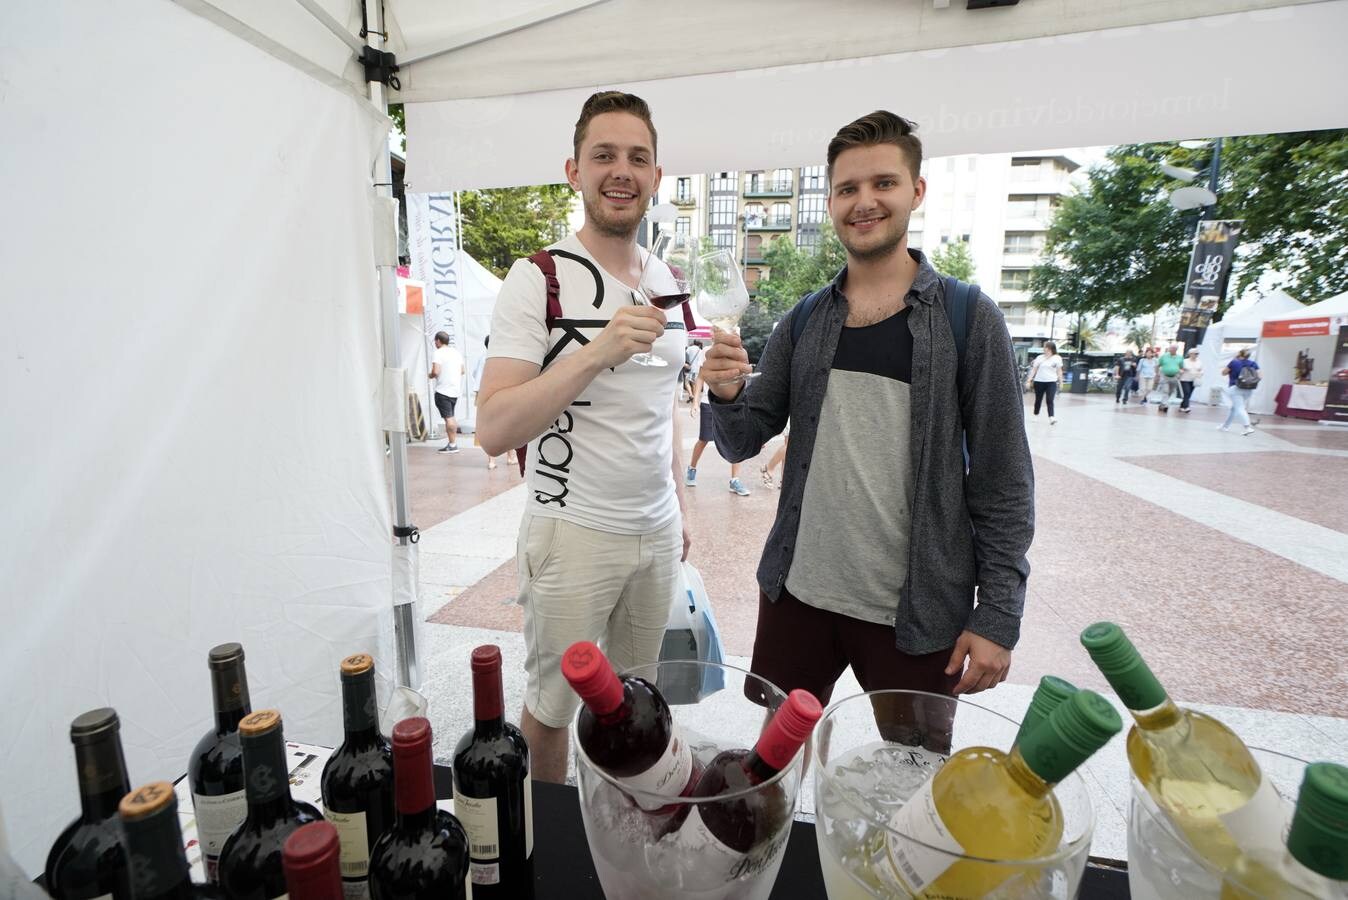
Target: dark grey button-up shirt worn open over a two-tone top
[[969, 530]]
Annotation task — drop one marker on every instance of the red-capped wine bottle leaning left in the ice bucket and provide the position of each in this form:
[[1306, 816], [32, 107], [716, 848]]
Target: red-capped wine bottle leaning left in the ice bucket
[[626, 727]]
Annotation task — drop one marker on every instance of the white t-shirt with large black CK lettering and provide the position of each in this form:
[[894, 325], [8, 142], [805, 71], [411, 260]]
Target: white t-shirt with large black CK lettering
[[606, 463]]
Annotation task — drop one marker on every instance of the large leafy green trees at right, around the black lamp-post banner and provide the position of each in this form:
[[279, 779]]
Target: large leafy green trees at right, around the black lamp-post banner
[[1120, 249]]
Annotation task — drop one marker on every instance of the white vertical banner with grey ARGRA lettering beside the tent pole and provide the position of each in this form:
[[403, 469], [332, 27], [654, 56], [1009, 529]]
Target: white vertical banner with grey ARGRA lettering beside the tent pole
[[433, 247]]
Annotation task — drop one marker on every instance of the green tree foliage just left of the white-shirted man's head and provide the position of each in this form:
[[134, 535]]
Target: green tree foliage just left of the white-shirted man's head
[[506, 224]]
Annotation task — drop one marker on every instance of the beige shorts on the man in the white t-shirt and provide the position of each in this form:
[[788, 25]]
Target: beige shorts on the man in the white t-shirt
[[580, 584]]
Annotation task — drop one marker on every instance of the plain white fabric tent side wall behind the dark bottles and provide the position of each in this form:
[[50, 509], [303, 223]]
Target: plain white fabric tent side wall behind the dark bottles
[[188, 259]]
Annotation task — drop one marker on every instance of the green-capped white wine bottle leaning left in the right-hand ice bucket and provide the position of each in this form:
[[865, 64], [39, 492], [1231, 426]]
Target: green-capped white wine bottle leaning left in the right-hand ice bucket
[[1195, 769]]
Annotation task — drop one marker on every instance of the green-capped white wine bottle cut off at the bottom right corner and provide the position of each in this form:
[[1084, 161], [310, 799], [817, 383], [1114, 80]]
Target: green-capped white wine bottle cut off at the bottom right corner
[[1315, 863]]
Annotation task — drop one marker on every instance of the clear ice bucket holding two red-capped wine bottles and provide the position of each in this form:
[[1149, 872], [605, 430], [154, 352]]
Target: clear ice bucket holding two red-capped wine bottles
[[650, 856]]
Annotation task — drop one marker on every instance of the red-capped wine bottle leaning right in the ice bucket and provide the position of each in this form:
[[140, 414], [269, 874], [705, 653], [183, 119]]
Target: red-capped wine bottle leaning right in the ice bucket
[[734, 828]]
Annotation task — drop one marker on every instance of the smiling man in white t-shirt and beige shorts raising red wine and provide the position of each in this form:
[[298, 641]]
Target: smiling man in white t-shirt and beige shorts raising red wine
[[603, 532]]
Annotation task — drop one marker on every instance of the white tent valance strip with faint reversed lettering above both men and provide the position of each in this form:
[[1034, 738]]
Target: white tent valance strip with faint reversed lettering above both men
[[1111, 87]]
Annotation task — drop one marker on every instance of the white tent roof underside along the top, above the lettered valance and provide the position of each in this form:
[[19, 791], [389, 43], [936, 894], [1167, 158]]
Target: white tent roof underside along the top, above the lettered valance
[[695, 37]]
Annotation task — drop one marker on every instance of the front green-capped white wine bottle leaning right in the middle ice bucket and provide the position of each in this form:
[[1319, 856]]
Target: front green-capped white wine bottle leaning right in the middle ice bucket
[[993, 805]]
